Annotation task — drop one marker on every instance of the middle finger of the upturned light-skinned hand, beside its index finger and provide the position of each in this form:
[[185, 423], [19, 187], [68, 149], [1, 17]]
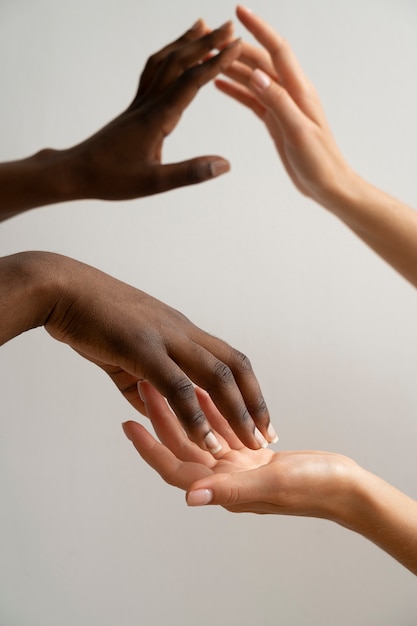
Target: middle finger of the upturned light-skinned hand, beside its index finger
[[168, 428]]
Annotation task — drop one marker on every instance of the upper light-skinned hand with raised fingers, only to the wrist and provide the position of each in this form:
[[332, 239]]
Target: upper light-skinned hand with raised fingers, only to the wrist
[[270, 82]]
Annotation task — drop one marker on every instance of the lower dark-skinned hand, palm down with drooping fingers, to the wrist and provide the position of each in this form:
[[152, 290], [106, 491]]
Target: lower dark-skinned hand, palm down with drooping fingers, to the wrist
[[133, 336]]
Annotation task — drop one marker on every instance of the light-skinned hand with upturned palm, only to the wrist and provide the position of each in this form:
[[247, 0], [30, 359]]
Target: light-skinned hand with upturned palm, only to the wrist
[[316, 484]]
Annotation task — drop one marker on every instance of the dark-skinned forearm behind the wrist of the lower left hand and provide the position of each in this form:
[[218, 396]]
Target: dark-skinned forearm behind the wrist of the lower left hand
[[28, 289]]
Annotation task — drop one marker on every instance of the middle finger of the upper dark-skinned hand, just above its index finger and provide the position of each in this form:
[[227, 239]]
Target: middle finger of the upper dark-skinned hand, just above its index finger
[[182, 58]]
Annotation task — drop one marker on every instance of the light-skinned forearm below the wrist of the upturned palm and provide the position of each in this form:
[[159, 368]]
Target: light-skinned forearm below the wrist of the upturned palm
[[384, 515]]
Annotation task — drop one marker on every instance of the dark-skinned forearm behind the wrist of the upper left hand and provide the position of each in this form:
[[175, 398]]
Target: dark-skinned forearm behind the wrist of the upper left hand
[[45, 178]]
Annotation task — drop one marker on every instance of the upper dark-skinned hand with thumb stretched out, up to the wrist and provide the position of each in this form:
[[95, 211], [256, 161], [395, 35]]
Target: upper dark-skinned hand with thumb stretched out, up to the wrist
[[123, 160]]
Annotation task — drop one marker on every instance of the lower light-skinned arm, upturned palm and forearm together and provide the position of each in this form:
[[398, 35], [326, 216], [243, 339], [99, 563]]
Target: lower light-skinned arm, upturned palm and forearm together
[[301, 483]]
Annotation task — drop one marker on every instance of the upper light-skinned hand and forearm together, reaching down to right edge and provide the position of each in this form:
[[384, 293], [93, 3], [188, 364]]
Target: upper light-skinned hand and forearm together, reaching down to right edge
[[269, 81]]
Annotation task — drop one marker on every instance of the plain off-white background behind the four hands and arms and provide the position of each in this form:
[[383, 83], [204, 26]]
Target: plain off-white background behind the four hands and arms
[[88, 534]]
